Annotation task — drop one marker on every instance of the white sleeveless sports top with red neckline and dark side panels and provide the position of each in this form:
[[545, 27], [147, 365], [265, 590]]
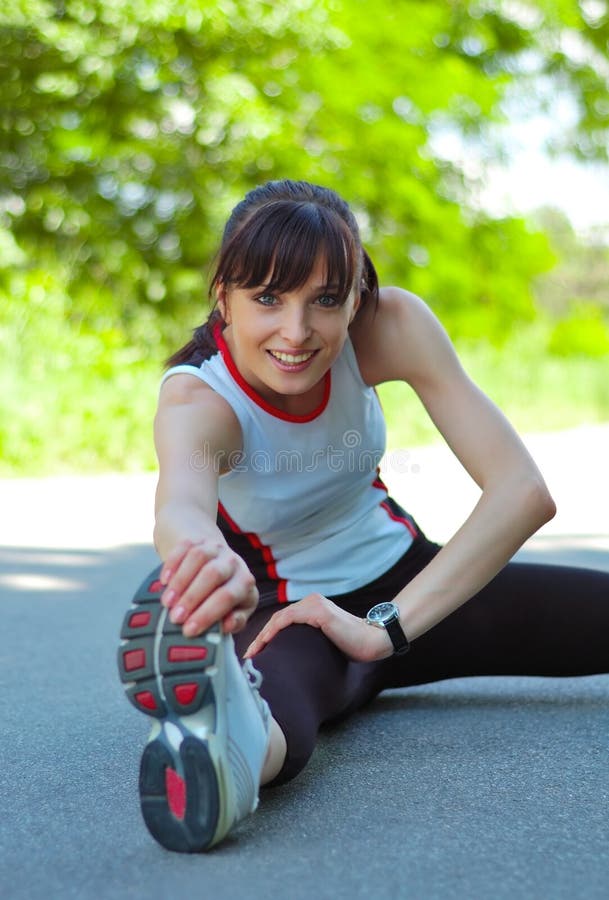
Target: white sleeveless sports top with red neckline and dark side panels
[[303, 503]]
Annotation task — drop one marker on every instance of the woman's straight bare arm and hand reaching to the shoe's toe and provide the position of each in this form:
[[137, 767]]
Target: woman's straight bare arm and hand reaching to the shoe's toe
[[195, 432]]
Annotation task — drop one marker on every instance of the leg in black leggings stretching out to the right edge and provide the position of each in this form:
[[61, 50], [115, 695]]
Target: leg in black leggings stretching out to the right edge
[[531, 619]]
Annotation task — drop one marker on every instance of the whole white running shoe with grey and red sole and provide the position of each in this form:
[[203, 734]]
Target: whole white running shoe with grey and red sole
[[200, 770]]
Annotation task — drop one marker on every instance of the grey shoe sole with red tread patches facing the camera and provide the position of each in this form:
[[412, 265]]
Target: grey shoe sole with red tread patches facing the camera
[[169, 678]]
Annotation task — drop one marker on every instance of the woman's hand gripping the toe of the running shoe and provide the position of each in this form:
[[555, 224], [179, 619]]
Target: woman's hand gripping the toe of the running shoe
[[206, 582]]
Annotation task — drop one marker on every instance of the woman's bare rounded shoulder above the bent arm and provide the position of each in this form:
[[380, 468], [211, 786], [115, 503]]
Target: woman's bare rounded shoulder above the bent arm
[[402, 340]]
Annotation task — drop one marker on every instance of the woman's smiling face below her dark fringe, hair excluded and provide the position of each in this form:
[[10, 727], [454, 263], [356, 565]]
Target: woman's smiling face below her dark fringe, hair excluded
[[284, 342]]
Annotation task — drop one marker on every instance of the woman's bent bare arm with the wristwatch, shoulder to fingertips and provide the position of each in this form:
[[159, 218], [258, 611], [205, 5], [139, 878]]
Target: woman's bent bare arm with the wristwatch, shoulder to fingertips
[[404, 341]]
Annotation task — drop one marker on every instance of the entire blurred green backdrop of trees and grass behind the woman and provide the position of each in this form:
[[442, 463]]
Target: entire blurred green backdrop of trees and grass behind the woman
[[129, 130]]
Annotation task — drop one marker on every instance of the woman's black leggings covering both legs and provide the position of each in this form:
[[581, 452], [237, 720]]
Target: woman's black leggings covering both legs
[[531, 619]]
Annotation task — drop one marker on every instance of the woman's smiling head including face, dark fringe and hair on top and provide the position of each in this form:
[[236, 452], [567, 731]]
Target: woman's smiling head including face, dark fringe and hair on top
[[287, 285]]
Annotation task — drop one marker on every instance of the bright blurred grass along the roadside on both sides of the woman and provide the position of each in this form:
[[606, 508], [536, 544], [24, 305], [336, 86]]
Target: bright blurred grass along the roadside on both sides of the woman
[[75, 403]]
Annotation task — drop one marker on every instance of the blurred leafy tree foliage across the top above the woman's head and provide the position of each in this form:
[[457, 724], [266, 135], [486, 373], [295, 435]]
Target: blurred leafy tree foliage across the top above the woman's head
[[128, 131]]
